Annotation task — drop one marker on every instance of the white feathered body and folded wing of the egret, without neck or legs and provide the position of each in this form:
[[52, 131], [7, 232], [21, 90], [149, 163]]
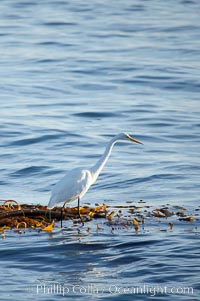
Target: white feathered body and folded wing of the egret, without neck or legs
[[73, 185]]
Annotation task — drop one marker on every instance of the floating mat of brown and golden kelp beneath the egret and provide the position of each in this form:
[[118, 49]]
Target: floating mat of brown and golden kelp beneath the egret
[[19, 218]]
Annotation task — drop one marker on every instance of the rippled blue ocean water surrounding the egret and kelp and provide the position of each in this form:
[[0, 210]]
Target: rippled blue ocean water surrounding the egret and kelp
[[74, 74]]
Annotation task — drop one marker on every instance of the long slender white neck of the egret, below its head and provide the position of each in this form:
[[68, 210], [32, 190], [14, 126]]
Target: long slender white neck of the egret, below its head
[[97, 168]]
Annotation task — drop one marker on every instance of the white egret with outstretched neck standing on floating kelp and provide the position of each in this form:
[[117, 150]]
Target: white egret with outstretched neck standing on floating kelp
[[77, 181]]
